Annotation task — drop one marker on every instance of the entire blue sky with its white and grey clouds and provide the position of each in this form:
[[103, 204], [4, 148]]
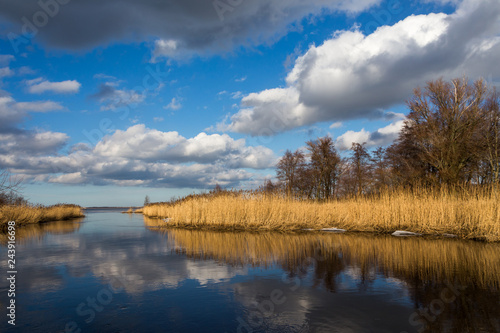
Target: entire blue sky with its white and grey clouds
[[101, 104]]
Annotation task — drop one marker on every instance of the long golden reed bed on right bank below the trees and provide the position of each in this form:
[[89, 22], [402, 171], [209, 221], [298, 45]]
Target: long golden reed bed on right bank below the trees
[[470, 214]]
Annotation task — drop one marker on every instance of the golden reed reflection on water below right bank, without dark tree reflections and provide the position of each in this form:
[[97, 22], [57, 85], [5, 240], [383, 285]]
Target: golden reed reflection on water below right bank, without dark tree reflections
[[408, 259]]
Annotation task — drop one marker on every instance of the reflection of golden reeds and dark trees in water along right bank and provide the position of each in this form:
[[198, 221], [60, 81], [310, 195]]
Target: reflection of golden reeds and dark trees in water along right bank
[[452, 285]]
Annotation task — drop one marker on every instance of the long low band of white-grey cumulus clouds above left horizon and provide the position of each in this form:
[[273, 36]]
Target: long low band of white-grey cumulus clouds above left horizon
[[138, 156]]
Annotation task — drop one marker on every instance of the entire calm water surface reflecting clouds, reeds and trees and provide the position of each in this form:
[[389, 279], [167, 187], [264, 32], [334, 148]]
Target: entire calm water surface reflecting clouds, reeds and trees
[[112, 272]]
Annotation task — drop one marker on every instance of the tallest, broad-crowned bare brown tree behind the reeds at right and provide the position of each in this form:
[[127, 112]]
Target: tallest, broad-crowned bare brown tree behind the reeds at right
[[443, 122]]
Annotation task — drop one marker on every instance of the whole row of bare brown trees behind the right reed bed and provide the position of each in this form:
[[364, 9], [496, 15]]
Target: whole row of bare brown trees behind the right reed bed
[[450, 137]]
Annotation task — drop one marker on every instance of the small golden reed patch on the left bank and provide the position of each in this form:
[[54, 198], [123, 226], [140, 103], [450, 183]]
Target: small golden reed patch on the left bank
[[26, 214]]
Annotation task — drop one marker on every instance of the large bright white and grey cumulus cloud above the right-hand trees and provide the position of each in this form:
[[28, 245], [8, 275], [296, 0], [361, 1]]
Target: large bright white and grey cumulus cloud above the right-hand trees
[[352, 76]]
